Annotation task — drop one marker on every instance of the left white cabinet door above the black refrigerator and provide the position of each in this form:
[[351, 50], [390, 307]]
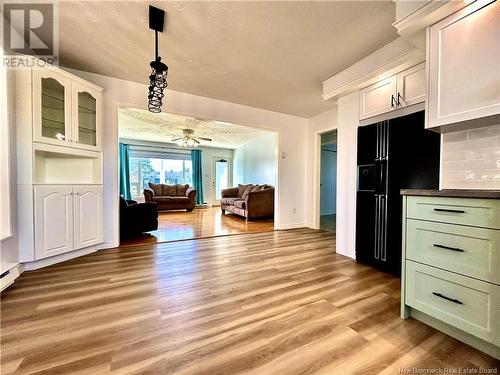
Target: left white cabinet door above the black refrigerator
[[378, 98]]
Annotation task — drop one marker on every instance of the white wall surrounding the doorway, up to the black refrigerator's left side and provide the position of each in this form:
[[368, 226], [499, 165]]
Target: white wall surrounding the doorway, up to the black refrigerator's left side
[[345, 120]]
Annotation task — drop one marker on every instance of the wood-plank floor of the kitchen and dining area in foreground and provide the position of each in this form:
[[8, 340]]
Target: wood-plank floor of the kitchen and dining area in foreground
[[268, 303]]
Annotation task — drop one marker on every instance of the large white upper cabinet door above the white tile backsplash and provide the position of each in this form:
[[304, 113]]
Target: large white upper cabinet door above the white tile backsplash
[[464, 65]]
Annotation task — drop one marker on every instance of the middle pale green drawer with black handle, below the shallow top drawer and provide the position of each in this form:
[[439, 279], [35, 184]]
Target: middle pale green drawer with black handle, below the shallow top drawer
[[466, 250]]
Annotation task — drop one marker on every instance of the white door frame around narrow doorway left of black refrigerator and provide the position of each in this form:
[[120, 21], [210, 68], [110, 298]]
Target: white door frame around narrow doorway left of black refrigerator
[[317, 176]]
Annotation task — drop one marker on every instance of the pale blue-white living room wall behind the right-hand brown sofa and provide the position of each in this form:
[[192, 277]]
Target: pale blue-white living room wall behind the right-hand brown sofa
[[255, 162]]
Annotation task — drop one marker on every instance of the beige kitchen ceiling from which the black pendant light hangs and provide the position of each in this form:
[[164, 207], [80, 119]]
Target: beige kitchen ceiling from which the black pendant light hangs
[[267, 54]]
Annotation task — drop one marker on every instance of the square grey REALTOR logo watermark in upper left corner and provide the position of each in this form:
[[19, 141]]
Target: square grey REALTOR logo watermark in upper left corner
[[30, 33]]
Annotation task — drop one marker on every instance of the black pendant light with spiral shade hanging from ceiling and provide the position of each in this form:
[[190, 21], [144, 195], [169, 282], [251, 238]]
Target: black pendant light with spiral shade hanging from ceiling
[[159, 70]]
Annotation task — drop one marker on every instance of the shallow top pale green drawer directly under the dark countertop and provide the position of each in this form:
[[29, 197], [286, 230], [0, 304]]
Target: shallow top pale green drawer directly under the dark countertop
[[466, 211]]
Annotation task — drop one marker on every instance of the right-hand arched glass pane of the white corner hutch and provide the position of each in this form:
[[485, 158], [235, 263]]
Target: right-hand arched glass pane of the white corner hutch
[[87, 119]]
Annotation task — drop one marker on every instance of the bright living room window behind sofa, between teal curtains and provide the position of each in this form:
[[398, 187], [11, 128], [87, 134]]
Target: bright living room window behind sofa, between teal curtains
[[156, 170]]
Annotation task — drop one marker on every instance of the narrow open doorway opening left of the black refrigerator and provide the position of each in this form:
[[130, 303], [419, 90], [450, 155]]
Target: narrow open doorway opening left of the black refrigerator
[[328, 181]]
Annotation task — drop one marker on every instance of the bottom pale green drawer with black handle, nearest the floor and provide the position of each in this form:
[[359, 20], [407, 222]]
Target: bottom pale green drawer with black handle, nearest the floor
[[465, 303]]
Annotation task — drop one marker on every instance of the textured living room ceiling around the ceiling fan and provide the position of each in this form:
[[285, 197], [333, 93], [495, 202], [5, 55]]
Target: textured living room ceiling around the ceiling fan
[[140, 124]]
